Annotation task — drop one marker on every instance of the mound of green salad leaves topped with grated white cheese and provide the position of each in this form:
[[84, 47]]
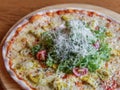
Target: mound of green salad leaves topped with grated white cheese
[[74, 45]]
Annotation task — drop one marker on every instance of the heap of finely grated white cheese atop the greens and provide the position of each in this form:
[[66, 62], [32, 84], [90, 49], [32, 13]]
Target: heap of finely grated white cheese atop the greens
[[77, 40]]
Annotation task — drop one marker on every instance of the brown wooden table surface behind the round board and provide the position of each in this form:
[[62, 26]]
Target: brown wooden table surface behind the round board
[[12, 10]]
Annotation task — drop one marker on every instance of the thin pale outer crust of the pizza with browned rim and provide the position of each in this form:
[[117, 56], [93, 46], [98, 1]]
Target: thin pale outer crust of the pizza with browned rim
[[20, 27]]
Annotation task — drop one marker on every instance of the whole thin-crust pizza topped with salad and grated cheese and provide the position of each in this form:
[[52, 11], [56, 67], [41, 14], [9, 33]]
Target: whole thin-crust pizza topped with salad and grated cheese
[[65, 49]]
